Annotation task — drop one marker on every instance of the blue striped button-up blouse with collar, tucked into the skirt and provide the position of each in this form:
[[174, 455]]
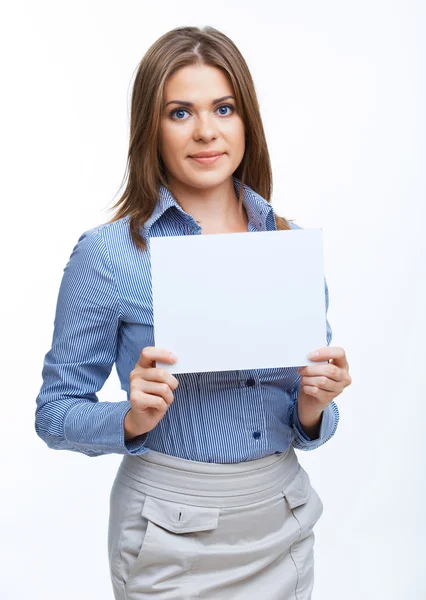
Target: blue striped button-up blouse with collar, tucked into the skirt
[[104, 316]]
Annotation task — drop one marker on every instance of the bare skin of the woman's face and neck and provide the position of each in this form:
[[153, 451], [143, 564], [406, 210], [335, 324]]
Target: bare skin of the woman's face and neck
[[205, 192]]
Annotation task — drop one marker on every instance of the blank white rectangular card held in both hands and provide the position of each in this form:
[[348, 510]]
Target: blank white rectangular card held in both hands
[[237, 301]]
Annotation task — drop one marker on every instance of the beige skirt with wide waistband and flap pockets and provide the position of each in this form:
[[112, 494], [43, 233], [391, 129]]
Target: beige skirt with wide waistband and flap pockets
[[186, 530]]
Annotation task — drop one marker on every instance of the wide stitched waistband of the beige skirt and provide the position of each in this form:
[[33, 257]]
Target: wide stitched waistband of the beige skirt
[[208, 484]]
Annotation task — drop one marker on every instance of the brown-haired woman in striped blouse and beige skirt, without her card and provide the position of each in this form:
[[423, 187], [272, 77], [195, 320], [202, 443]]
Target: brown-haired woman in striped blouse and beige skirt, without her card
[[209, 500]]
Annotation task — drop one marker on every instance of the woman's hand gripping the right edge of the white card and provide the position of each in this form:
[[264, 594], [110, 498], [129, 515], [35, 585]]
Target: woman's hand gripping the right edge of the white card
[[320, 384]]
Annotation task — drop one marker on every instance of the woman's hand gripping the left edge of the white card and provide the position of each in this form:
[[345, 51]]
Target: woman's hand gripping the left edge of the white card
[[150, 392]]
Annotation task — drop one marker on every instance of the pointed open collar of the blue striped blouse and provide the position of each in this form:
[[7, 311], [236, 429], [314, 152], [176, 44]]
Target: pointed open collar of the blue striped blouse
[[256, 206]]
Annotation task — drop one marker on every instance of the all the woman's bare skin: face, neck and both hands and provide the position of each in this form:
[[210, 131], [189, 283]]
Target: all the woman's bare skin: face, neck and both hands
[[206, 192]]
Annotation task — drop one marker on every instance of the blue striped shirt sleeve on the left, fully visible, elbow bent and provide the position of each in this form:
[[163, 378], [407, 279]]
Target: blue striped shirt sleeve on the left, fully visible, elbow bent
[[68, 414]]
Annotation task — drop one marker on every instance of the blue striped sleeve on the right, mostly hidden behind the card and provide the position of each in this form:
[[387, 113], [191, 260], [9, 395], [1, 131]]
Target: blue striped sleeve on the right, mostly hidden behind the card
[[330, 416]]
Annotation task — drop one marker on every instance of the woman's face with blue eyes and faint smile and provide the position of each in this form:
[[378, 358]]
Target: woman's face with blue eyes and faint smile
[[203, 126]]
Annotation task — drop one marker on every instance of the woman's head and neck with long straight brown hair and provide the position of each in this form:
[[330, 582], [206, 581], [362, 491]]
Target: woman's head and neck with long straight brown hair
[[199, 94]]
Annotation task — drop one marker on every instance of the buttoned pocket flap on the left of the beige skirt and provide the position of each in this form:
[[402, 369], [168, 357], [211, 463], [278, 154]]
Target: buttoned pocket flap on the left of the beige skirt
[[180, 518]]
